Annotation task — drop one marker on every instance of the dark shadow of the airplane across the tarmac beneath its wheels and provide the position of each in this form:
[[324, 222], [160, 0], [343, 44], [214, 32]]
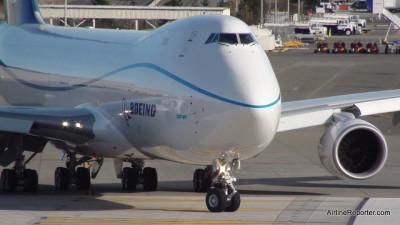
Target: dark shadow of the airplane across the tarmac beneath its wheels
[[49, 199]]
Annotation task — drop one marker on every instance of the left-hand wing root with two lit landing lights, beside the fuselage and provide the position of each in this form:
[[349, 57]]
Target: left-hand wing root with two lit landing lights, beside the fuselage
[[67, 124]]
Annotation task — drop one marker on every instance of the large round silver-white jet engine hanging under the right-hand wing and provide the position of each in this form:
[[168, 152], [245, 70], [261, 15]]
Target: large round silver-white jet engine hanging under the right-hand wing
[[353, 148]]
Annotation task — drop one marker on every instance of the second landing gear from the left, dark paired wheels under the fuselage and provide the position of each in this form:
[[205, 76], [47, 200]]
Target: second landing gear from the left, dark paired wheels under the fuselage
[[72, 174]]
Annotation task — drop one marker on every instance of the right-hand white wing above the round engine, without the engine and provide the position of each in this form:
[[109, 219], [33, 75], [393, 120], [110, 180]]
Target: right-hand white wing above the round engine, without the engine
[[320, 111]]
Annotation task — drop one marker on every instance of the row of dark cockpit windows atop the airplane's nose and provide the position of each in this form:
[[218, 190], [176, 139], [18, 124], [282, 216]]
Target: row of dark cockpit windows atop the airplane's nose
[[230, 38]]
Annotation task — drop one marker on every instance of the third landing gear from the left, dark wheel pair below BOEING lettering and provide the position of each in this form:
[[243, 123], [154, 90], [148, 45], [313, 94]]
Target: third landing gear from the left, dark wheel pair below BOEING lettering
[[138, 174]]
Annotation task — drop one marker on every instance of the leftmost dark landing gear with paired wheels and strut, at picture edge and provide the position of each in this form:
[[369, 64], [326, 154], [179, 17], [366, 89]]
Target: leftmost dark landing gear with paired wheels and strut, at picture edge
[[19, 175]]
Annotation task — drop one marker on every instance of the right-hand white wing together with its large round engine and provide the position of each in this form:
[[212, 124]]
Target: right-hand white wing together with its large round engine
[[349, 147]]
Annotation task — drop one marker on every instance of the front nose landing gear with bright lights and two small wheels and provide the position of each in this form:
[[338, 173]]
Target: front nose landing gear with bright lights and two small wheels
[[222, 195]]
